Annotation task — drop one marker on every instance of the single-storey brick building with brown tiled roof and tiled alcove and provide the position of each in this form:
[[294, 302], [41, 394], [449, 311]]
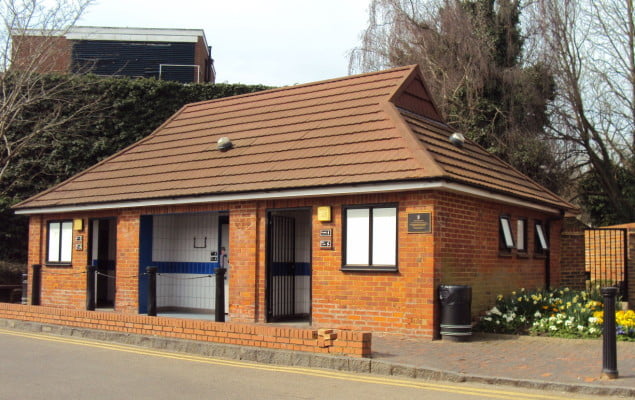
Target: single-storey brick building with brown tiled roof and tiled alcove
[[343, 203]]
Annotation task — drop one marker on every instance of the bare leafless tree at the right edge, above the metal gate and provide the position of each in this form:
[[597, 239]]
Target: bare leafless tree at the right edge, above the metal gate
[[589, 46]]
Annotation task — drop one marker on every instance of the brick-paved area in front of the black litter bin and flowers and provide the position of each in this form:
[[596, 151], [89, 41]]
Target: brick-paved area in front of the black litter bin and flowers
[[551, 360]]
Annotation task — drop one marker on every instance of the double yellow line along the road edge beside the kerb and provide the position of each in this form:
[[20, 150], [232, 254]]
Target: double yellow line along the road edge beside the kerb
[[390, 381]]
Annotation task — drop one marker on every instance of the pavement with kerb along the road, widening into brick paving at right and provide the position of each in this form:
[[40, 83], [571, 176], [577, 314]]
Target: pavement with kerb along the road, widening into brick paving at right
[[533, 362]]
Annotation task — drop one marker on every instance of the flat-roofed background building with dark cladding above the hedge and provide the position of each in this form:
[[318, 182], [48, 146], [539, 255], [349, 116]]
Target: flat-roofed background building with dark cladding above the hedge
[[181, 55]]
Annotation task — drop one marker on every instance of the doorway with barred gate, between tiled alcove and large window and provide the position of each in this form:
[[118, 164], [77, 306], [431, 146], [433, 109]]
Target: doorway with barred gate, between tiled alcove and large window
[[288, 290]]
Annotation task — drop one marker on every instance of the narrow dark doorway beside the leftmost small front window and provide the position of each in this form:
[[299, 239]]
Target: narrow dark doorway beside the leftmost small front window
[[103, 250]]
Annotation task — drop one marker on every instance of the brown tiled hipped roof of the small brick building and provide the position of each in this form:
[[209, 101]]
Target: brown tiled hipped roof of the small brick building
[[369, 128]]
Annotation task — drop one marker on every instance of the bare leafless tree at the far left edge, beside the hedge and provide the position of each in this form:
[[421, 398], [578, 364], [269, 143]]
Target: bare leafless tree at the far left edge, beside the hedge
[[31, 102]]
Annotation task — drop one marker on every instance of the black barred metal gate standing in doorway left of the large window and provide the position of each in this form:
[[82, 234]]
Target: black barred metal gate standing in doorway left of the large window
[[281, 272]]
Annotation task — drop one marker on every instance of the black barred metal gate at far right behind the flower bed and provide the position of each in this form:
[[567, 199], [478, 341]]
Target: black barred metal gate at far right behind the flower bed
[[606, 254]]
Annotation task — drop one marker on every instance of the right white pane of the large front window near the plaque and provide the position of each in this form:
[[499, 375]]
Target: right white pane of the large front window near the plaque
[[384, 236]]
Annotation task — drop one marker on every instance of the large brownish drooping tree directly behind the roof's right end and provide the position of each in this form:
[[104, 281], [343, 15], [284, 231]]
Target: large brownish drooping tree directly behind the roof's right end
[[471, 55]]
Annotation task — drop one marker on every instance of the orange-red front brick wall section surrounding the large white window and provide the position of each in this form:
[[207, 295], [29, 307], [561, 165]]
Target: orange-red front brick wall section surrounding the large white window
[[394, 302]]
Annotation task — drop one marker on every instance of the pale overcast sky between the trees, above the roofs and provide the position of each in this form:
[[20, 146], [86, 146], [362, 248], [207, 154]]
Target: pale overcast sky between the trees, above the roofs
[[272, 42]]
